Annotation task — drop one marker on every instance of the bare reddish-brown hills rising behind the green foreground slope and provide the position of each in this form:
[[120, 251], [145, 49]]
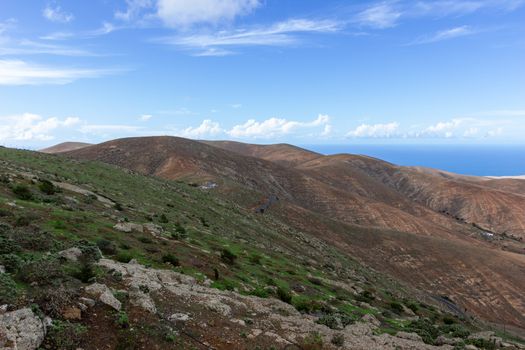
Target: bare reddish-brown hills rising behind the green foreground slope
[[419, 225]]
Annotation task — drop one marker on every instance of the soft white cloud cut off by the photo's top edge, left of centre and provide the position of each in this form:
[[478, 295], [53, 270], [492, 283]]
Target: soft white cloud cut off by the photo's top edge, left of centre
[[176, 13]]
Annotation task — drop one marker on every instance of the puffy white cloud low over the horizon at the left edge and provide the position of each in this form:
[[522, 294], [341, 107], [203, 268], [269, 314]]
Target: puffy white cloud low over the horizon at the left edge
[[30, 127]]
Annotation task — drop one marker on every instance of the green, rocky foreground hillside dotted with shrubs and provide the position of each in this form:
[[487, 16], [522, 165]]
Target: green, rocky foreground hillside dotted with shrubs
[[184, 267]]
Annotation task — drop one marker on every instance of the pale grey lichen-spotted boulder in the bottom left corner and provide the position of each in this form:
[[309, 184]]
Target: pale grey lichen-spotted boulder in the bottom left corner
[[21, 330]]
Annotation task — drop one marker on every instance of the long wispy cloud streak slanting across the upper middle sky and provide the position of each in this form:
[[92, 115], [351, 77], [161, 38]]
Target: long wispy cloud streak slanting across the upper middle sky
[[278, 34]]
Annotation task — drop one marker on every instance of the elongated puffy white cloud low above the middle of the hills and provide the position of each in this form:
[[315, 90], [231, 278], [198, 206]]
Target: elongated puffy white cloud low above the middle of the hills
[[274, 127]]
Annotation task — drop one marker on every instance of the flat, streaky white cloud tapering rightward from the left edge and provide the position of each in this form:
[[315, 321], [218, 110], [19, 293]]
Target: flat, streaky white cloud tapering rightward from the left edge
[[17, 72]]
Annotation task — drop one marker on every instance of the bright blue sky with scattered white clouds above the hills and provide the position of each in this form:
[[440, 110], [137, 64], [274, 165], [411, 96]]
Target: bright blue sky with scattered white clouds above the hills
[[264, 71]]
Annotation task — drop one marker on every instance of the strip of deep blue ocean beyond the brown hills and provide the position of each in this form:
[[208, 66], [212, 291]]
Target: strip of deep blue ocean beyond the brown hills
[[480, 160]]
